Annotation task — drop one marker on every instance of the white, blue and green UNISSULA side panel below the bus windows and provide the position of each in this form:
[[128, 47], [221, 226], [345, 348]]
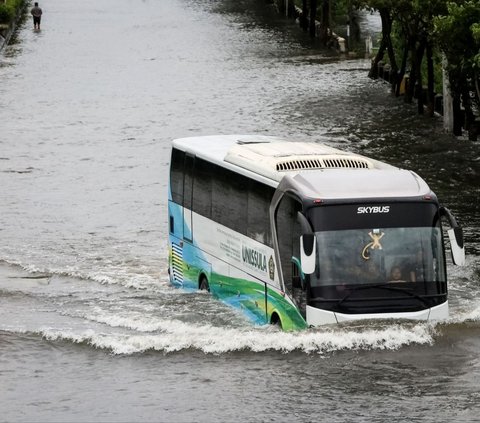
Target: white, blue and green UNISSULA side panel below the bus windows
[[227, 282]]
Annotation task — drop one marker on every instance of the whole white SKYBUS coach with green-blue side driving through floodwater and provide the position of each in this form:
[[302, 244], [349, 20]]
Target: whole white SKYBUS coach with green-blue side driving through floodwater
[[301, 234]]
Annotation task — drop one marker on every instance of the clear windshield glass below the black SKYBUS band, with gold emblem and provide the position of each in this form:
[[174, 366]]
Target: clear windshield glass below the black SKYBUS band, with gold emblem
[[374, 255]]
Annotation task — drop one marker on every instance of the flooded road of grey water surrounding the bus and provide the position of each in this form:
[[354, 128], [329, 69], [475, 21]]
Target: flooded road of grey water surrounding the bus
[[90, 329]]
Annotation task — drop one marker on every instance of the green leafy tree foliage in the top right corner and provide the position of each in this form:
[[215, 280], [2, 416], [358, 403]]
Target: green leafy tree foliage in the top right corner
[[452, 27]]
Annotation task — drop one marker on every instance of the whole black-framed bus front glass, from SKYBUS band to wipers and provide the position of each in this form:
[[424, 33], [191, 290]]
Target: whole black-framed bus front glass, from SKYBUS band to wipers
[[392, 260]]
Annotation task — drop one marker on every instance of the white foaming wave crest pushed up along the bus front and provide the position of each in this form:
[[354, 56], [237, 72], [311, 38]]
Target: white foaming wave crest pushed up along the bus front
[[177, 336]]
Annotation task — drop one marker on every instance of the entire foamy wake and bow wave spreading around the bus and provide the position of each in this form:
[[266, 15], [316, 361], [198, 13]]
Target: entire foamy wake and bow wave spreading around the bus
[[169, 323]]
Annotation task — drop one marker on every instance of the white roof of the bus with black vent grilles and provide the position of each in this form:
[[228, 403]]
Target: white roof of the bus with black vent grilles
[[318, 170]]
